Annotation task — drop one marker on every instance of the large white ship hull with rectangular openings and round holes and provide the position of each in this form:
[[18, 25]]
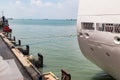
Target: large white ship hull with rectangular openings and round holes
[[99, 36]]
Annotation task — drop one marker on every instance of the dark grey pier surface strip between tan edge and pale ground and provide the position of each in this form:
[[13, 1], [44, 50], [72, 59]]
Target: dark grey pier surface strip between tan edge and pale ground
[[6, 53]]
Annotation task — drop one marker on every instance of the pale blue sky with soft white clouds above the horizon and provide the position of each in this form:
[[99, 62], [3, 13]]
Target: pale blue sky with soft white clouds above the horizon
[[40, 9]]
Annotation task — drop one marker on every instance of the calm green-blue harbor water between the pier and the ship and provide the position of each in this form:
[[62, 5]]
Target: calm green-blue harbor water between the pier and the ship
[[56, 40]]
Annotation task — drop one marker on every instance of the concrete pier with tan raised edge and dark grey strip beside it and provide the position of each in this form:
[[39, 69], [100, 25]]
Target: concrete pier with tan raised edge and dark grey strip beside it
[[8, 50]]
